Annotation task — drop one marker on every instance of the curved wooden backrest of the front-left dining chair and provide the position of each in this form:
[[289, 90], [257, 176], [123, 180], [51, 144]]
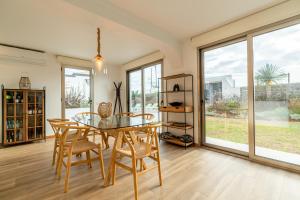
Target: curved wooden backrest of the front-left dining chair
[[63, 129]]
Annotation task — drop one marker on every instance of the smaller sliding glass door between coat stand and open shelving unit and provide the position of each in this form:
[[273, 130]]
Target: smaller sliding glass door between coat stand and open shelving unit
[[143, 86]]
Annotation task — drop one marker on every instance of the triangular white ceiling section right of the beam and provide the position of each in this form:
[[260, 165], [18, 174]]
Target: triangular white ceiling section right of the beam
[[187, 18]]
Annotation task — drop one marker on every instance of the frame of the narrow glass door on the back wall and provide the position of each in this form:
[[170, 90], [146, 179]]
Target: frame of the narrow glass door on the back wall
[[62, 99]]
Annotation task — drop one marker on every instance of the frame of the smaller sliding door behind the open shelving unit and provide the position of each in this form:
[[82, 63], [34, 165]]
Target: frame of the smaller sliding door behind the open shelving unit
[[142, 67]]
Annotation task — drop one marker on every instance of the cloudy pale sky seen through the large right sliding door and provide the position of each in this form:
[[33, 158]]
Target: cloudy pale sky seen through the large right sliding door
[[280, 47]]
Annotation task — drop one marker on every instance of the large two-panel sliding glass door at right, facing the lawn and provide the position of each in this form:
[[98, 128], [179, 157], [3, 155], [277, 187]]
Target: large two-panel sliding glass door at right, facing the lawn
[[251, 95]]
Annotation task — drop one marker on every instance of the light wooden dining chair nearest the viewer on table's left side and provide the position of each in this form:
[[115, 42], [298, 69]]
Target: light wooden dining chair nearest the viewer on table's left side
[[74, 147]]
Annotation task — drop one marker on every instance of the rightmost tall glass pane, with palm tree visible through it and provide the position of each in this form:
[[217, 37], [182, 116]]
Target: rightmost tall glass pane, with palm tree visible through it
[[277, 94]]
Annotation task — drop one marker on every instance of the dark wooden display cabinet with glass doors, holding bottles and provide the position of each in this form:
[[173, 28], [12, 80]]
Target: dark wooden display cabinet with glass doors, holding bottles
[[23, 115]]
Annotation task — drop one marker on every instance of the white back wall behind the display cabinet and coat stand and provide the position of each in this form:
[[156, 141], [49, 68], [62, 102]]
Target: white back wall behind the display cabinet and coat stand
[[49, 76]]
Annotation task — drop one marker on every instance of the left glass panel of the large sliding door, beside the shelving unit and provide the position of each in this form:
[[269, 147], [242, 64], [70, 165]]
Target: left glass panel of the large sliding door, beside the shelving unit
[[225, 95]]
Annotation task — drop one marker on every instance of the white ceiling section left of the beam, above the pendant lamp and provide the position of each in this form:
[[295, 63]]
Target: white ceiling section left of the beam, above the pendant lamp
[[61, 28]]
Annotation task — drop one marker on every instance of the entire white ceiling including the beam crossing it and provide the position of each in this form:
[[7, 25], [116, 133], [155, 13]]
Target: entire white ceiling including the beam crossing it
[[130, 28]]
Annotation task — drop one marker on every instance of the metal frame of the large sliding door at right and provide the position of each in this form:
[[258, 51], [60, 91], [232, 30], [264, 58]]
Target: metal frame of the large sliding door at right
[[249, 35]]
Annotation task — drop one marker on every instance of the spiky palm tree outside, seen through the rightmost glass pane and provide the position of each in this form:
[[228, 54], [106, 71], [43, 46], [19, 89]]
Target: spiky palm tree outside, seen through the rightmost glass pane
[[269, 74]]
